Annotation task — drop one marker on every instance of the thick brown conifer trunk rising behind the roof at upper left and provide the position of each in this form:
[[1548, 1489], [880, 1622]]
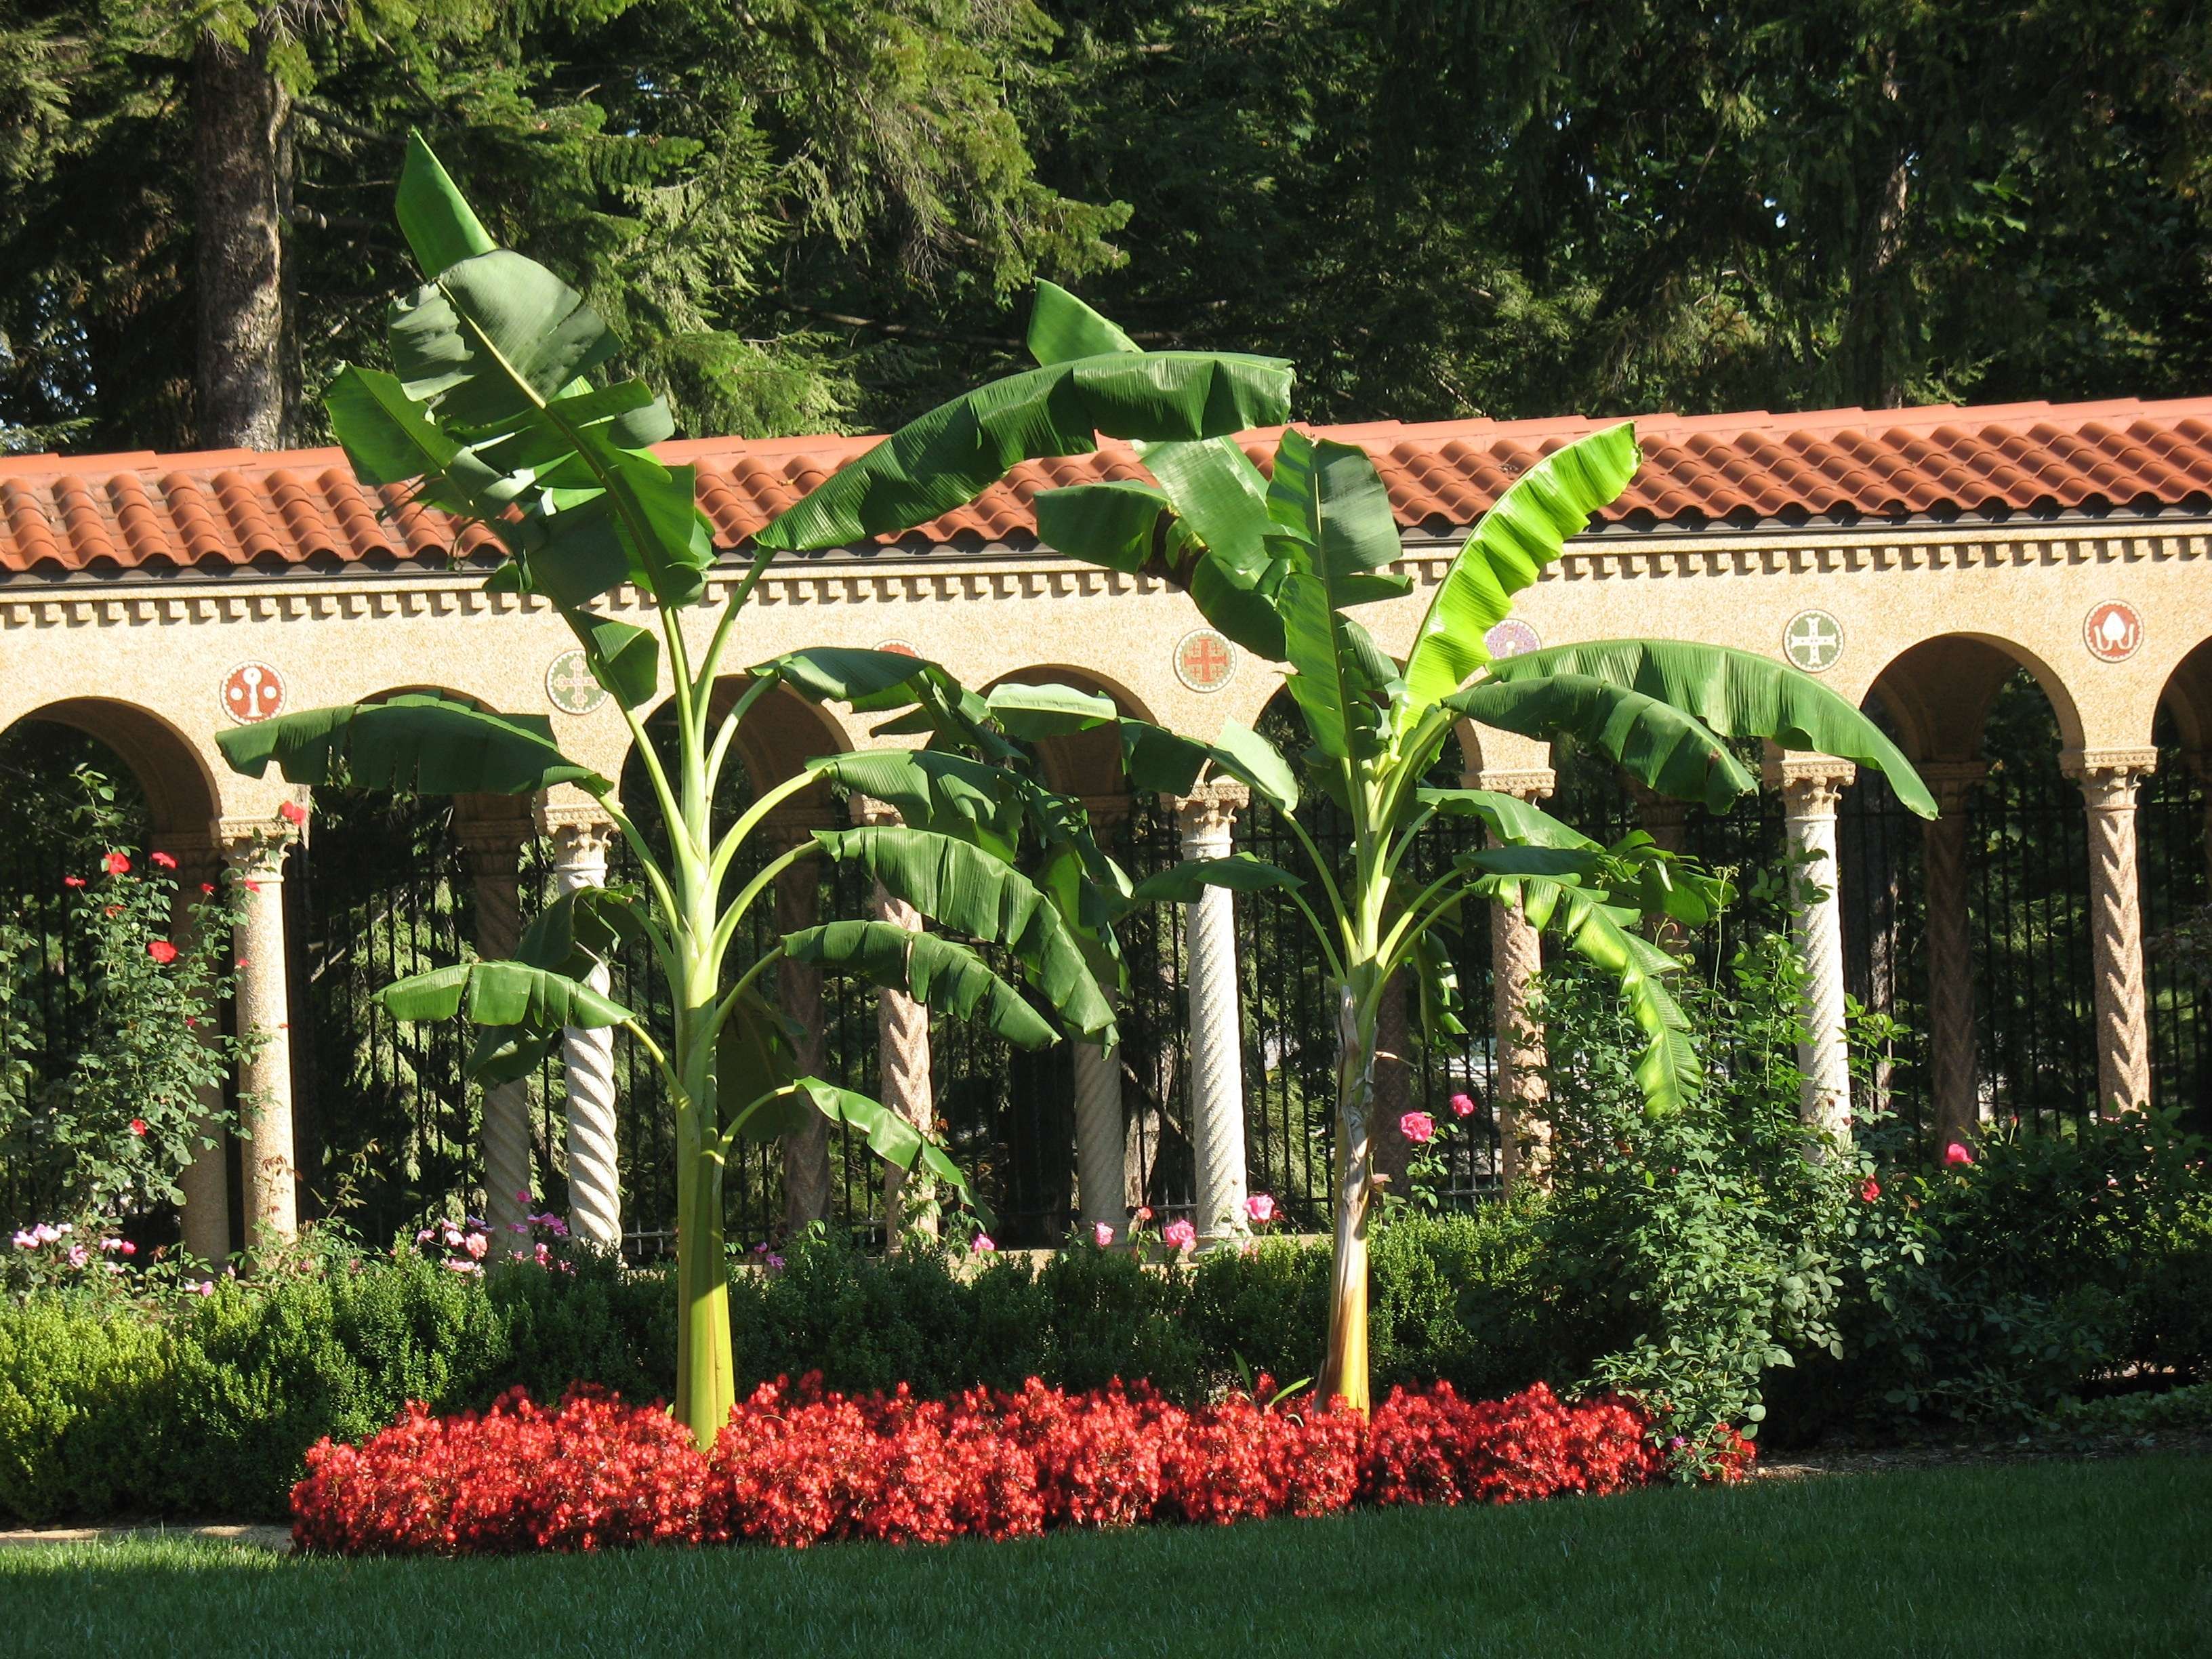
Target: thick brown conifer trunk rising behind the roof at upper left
[[240, 143]]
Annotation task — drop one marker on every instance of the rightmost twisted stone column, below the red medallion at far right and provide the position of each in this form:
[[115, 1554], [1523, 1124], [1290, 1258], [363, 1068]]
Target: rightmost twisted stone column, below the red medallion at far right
[[2116, 912]]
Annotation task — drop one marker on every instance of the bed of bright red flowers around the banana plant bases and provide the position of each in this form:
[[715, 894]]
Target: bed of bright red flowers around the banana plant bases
[[800, 1465]]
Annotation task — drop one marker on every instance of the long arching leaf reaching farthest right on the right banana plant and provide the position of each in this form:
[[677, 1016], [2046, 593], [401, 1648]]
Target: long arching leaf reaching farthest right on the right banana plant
[[1738, 693]]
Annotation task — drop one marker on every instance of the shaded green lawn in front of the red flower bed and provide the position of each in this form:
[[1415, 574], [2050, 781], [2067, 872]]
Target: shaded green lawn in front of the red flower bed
[[2065, 1558]]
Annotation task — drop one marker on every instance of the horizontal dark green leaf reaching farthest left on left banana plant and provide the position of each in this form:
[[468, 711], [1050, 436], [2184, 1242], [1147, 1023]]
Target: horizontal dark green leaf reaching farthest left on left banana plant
[[413, 744]]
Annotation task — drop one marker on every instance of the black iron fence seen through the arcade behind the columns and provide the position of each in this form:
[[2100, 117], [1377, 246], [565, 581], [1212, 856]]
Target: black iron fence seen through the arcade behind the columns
[[390, 1131]]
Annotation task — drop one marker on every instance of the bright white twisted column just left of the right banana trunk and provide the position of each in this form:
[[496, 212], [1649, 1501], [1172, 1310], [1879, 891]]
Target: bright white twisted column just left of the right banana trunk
[[1215, 1021]]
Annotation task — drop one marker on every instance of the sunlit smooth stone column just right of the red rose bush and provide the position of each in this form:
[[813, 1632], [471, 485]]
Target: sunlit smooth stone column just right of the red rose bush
[[255, 857]]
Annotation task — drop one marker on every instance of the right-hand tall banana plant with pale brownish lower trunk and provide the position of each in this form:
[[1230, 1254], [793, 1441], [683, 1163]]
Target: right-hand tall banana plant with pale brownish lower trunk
[[1280, 561]]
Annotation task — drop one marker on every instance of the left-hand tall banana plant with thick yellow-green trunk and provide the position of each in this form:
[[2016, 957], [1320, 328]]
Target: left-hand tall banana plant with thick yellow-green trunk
[[492, 415]]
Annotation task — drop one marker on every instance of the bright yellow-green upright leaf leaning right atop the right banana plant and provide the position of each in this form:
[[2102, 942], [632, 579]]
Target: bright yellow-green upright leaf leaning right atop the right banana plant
[[1505, 554]]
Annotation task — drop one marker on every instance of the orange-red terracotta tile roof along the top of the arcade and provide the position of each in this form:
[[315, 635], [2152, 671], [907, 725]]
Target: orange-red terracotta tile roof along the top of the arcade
[[112, 514]]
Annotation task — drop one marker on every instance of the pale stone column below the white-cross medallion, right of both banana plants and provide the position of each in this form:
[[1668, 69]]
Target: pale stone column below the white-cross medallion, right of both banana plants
[[1811, 789]]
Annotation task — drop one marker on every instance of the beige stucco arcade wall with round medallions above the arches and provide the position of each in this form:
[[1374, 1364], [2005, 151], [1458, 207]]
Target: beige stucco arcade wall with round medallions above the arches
[[143, 662]]
